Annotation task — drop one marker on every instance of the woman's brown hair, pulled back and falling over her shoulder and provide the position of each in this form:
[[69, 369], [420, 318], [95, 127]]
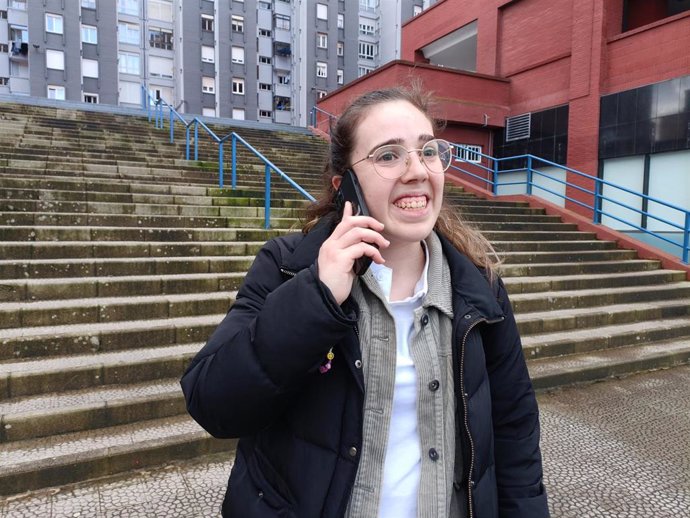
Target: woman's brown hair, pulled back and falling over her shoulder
[[450, 224]]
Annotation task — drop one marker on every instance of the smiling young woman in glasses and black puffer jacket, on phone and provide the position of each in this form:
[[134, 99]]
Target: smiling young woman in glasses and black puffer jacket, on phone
[[402, 393]]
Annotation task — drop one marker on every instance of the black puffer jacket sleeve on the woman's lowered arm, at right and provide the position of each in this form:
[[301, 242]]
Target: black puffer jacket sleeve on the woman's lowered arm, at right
[[515, 415]]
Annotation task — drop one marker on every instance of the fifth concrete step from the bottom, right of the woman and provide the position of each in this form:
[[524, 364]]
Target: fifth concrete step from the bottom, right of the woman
[[517, 285]]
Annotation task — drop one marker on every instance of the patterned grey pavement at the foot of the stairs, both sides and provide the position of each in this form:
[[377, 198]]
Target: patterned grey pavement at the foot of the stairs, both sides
[[617, 449]]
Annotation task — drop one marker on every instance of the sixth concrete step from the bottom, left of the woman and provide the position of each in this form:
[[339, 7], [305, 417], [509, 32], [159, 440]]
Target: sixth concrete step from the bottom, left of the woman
[[28, 290]]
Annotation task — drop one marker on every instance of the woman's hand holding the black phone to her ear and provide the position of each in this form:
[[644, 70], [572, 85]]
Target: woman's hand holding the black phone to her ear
[[352, 238]]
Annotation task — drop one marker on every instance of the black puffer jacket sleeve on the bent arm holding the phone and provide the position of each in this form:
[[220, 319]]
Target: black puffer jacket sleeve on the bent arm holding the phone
[[275, 335]]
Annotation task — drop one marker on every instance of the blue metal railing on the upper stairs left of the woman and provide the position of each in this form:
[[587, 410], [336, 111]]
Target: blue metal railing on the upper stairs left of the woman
[[159, 105]]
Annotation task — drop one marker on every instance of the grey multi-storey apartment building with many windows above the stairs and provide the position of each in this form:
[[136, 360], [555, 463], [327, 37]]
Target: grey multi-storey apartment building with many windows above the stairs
[[262, 60]]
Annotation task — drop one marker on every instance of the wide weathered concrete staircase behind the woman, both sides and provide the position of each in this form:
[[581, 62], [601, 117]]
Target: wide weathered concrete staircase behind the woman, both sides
[[118, 259]]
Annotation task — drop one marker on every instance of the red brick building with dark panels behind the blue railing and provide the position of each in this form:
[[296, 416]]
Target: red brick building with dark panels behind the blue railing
[[604, 85]]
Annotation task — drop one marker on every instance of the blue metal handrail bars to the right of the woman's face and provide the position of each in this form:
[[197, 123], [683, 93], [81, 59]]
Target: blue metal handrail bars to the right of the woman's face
[[492, 181]]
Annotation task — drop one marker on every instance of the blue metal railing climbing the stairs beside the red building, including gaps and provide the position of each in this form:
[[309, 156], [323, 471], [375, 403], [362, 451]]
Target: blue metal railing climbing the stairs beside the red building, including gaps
[[488, 171]]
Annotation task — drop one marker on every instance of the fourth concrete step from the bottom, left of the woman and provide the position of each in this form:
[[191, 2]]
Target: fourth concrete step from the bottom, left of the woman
[[85, 339]]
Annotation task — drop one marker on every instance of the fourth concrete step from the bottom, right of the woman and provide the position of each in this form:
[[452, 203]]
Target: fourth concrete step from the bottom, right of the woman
[[554, 300]]
